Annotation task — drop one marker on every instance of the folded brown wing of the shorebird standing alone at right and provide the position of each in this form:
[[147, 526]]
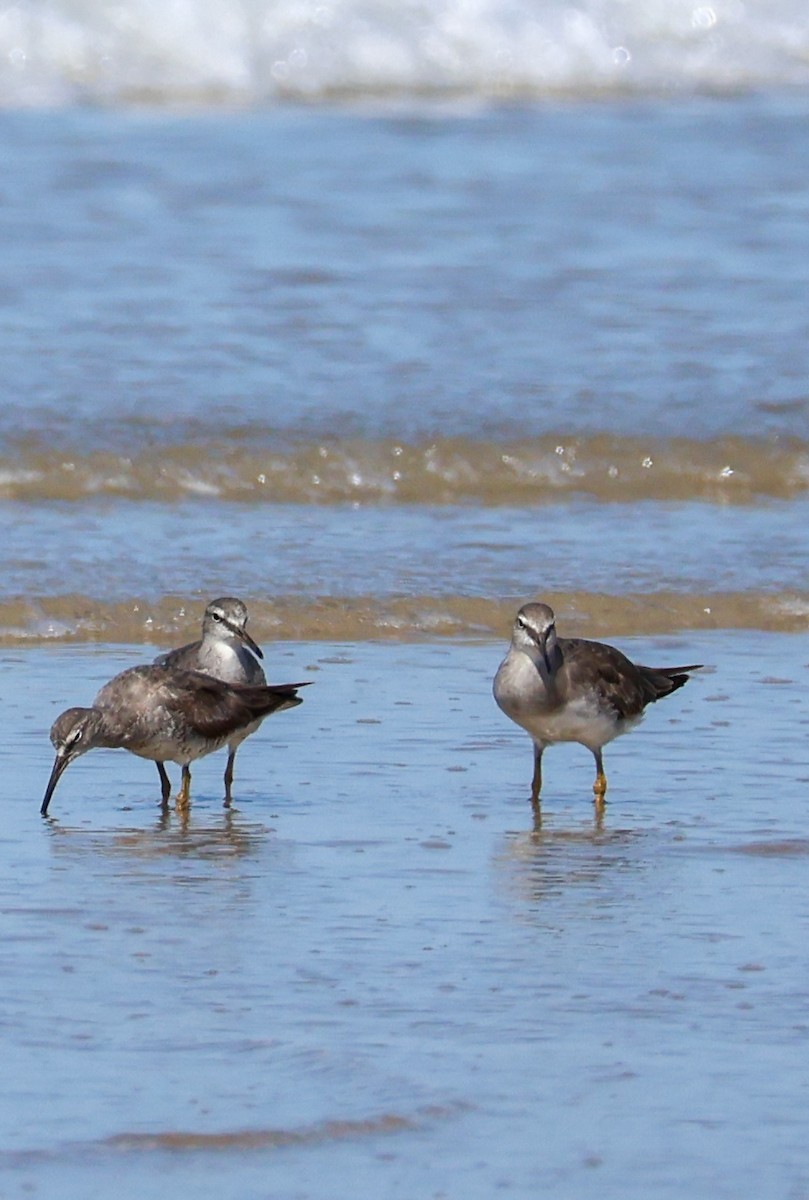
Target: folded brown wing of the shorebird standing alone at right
[[606, 671]]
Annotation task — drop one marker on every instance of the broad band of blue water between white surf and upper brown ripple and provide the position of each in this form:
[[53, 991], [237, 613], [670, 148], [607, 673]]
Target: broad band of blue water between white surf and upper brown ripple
[[634, 268]]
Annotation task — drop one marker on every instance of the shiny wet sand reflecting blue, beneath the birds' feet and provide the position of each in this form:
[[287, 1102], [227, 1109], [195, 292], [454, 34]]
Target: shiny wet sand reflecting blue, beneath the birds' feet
[[376, 975]]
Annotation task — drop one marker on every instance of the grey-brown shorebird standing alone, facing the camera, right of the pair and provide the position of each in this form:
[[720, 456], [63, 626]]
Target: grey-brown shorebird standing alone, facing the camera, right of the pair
[[567, 689]]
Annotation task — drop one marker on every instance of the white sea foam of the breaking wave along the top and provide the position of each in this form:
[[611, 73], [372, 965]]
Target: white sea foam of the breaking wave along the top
[[256, 52]]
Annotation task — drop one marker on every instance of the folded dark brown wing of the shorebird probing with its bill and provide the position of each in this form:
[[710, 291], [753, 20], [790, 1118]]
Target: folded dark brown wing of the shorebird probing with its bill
[[217, 710]]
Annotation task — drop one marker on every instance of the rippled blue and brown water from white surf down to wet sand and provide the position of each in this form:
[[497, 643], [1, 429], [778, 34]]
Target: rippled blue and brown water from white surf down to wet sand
[[335, 361]]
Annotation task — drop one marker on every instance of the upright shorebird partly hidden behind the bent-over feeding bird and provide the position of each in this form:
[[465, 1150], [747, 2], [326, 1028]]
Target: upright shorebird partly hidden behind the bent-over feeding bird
[[227, 652]]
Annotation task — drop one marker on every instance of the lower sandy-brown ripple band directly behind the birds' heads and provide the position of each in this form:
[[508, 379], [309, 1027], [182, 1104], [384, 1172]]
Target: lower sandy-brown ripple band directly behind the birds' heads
[[79, 620]]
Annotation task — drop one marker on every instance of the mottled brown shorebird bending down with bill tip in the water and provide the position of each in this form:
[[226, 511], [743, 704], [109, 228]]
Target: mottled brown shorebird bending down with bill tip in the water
[[164, 715]]
